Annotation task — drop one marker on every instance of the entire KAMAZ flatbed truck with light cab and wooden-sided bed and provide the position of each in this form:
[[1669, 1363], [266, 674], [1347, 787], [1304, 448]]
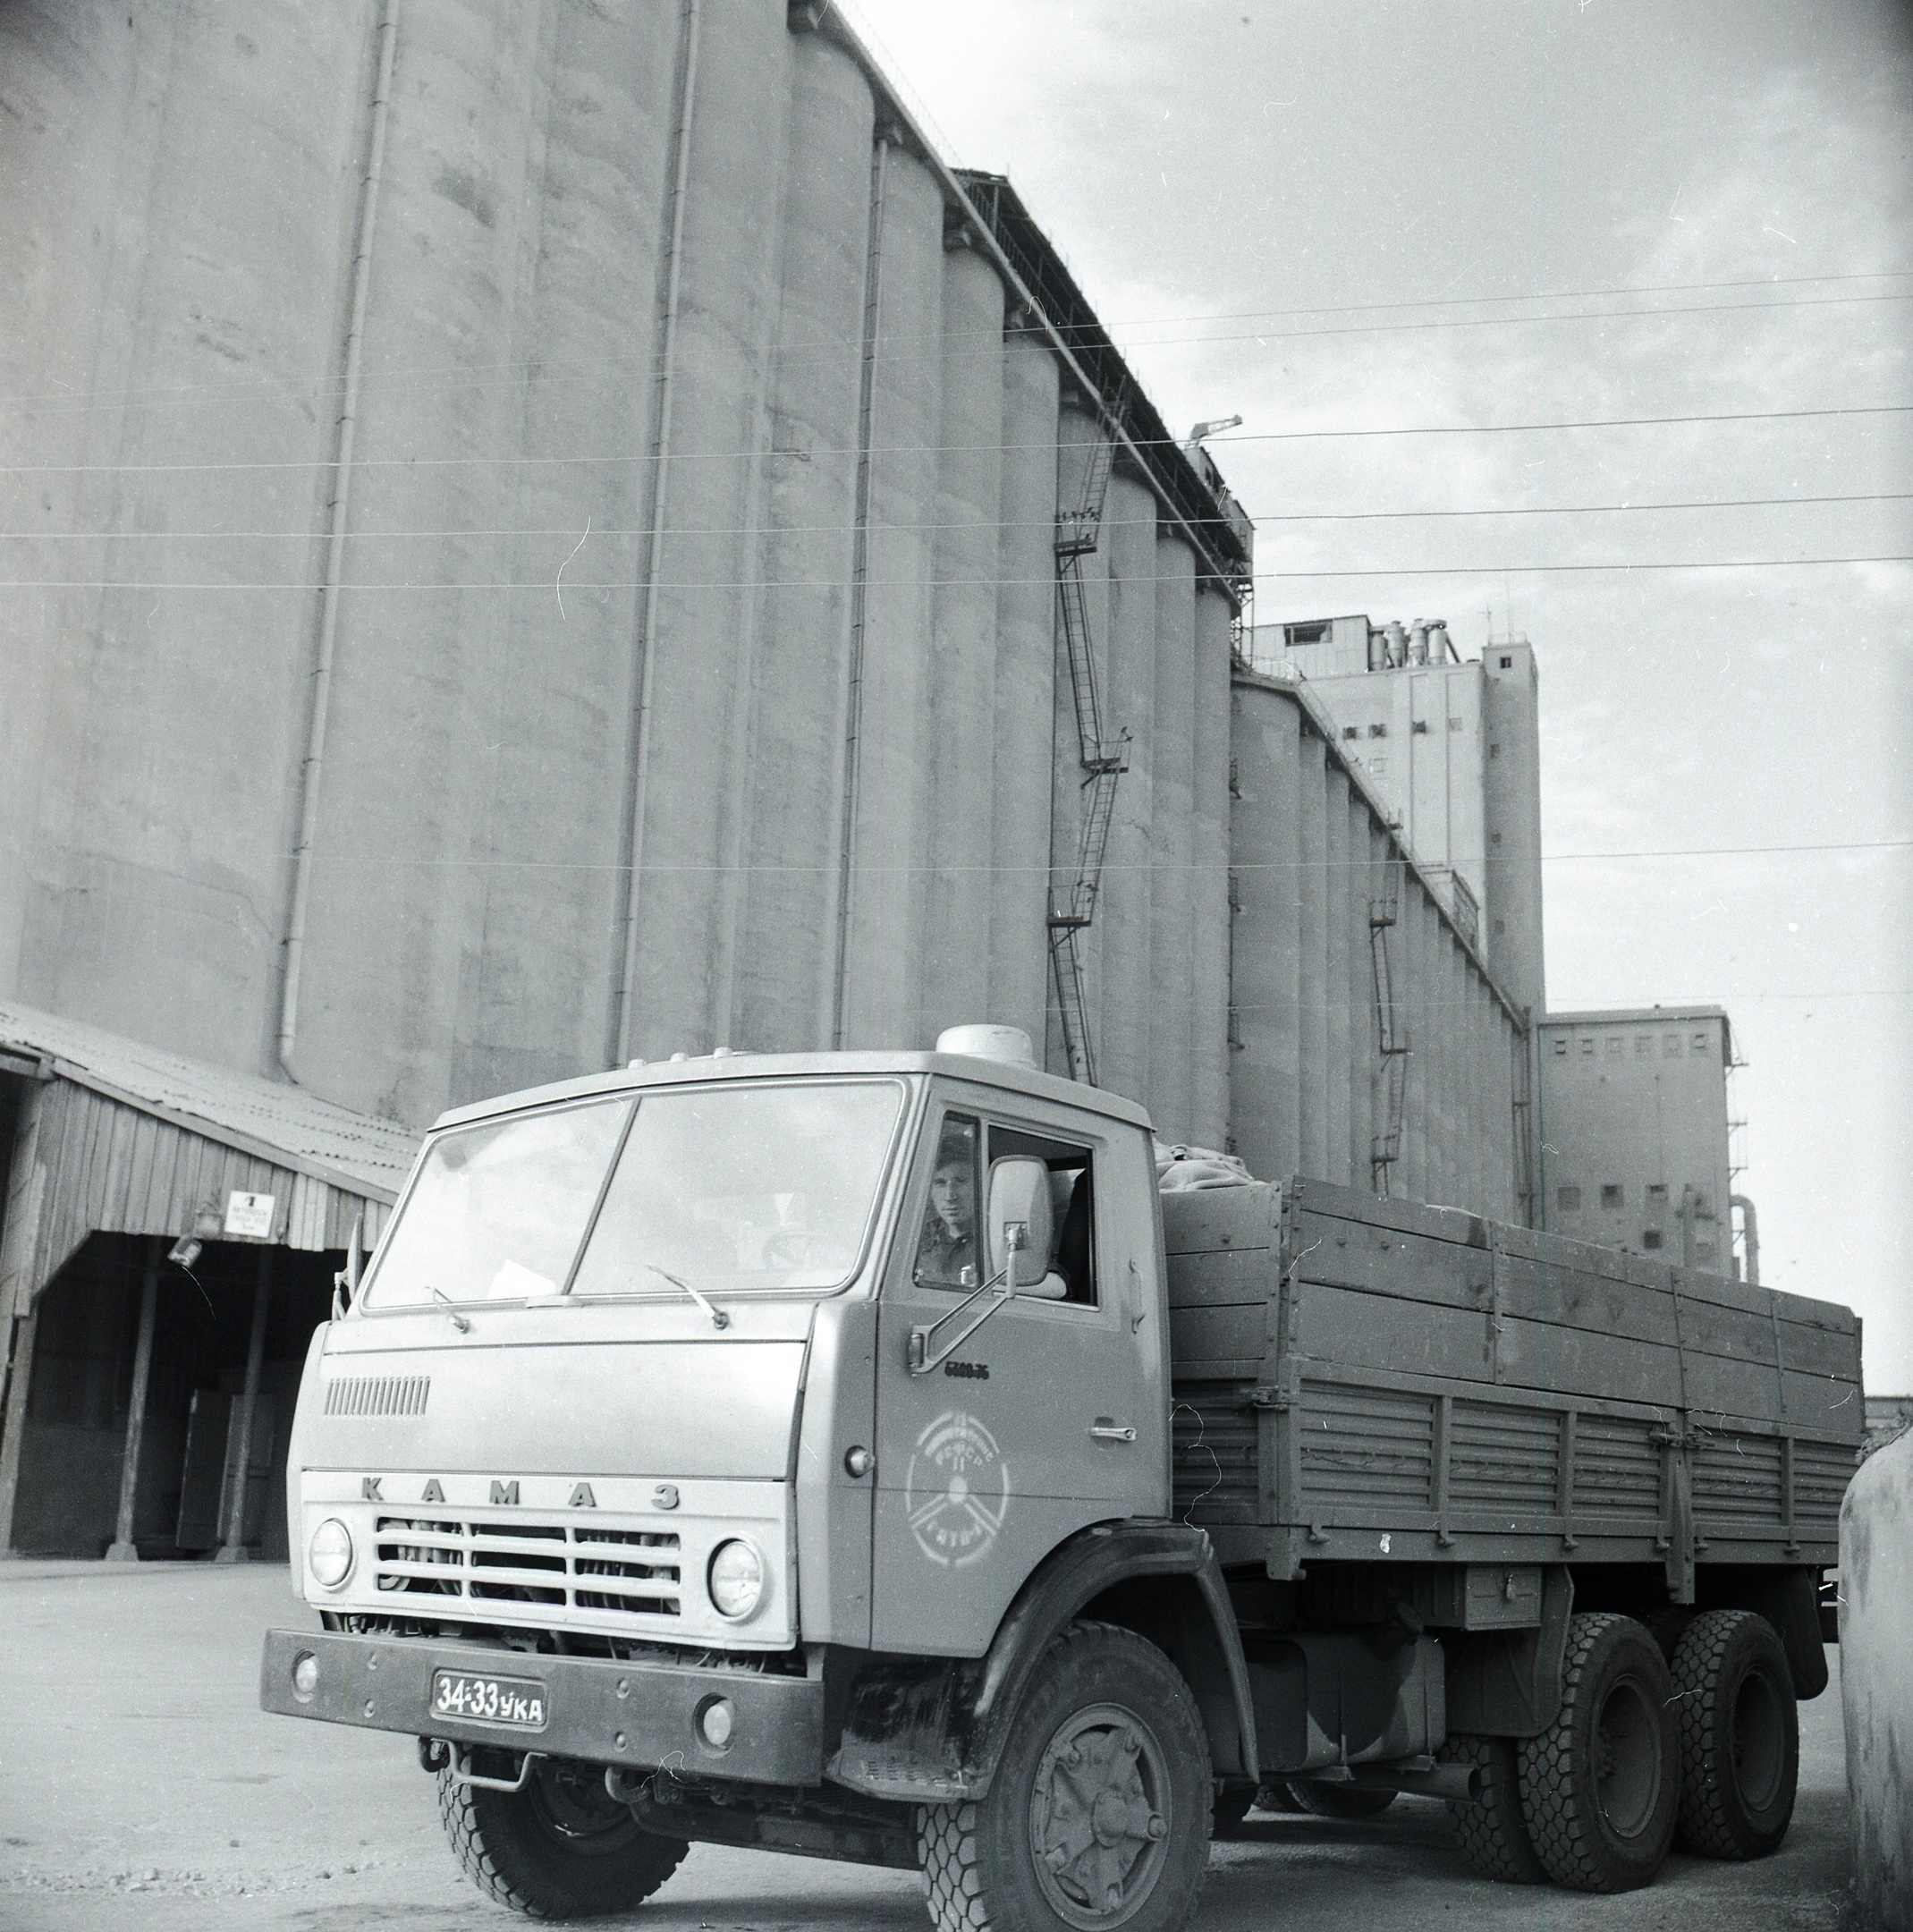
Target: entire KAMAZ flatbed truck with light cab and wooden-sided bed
[[899, 1458]]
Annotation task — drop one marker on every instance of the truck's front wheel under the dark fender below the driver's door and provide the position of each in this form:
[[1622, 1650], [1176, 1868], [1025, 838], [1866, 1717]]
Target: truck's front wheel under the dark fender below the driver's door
[[1100, 1809]]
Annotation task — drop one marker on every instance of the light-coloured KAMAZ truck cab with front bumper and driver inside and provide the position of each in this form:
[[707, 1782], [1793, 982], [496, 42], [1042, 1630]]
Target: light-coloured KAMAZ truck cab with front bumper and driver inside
[[706, 1413]]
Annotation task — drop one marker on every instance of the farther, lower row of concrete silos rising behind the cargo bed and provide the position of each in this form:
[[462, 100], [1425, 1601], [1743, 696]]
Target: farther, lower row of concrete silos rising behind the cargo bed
[[1315, 863]]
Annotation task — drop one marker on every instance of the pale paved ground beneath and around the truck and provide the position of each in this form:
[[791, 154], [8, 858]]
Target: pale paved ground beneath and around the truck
[[140, 1788]]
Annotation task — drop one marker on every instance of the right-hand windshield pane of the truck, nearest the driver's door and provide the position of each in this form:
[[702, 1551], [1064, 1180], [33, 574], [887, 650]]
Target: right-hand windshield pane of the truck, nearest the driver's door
[[745, 1189]]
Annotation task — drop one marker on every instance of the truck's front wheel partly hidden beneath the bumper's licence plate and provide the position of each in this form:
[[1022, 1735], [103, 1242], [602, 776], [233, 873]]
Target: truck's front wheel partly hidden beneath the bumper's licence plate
[[563, 1848]]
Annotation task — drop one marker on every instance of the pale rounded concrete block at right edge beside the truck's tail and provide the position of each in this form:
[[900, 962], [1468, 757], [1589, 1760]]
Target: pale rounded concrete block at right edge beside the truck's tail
[[1877, 1682]]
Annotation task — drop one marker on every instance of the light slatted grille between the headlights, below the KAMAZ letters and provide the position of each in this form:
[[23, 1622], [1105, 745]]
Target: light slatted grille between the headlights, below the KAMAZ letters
[[530, 1562]]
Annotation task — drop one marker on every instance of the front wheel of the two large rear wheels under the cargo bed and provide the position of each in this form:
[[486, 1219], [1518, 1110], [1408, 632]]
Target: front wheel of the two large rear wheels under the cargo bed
[[1601, 1786]]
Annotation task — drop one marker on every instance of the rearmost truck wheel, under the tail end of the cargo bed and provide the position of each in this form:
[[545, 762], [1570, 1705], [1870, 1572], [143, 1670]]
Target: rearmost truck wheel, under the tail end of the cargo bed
[[1740, 1736]]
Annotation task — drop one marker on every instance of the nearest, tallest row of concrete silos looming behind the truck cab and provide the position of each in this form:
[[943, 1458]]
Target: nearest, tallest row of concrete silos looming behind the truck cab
[[689, 671]]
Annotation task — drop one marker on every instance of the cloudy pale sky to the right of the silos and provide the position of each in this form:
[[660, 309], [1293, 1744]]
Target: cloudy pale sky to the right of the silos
[[1379, 215]]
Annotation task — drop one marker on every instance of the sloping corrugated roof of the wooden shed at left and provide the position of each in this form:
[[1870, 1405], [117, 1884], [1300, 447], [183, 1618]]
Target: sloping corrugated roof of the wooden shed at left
[[281, 1125]]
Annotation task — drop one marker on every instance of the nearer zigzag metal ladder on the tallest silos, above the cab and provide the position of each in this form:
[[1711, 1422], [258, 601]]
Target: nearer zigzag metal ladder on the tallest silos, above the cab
[[1104, 760]]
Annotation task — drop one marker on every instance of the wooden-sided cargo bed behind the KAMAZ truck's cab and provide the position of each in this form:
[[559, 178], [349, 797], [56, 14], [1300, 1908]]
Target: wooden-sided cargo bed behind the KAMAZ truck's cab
[[1363, 1378]]
